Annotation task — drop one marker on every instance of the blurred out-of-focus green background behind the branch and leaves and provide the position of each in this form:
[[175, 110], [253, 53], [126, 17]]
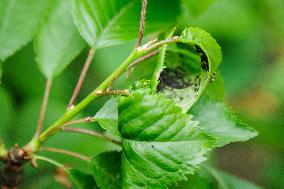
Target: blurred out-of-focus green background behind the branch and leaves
[[251, 34]]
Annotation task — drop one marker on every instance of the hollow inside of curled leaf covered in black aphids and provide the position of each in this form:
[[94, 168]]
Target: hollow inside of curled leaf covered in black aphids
[[180, 80]]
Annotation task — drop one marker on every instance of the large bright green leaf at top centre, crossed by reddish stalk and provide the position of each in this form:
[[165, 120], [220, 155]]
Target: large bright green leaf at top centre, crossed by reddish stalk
[[109, 22]]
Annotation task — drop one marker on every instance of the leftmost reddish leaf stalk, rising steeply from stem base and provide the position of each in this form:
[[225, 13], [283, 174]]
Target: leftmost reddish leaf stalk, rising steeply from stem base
[[43, 108]]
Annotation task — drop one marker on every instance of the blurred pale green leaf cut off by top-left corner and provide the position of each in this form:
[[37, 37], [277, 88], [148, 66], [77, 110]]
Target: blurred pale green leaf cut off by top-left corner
[[18, 23]]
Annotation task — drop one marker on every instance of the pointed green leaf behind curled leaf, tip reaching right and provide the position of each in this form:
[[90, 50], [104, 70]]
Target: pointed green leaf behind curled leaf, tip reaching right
[[221, 123]]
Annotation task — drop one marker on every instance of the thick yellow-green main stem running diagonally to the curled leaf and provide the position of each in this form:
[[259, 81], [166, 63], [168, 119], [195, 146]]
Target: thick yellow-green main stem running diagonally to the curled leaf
[[136, 53]]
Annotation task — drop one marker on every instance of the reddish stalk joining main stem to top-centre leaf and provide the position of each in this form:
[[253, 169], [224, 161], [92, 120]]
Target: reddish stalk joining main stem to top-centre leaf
[[82, 77]]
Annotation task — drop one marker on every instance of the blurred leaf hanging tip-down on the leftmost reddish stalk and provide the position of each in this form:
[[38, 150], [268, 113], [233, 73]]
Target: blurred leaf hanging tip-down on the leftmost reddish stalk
[[57, 42]]
